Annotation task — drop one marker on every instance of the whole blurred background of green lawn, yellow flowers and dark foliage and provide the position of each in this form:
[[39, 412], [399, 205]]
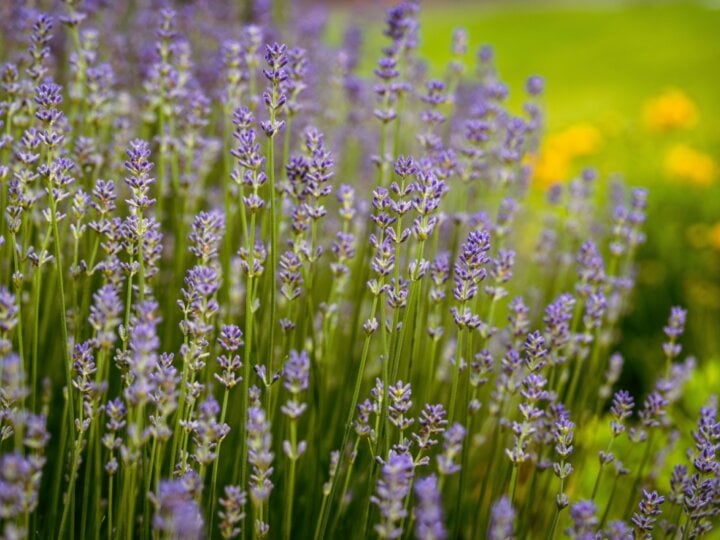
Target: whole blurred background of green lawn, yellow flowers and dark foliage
[[633, 88]]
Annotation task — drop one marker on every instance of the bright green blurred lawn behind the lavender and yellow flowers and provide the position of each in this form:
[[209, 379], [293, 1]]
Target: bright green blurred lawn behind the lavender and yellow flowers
[[600, 61]]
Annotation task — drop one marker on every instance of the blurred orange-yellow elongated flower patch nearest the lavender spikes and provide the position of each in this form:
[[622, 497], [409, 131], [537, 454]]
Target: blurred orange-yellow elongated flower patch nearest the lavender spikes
[[561, 148]]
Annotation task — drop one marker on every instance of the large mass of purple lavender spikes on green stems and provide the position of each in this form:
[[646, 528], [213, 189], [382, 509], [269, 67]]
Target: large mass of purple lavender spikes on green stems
[[283, 299]]
